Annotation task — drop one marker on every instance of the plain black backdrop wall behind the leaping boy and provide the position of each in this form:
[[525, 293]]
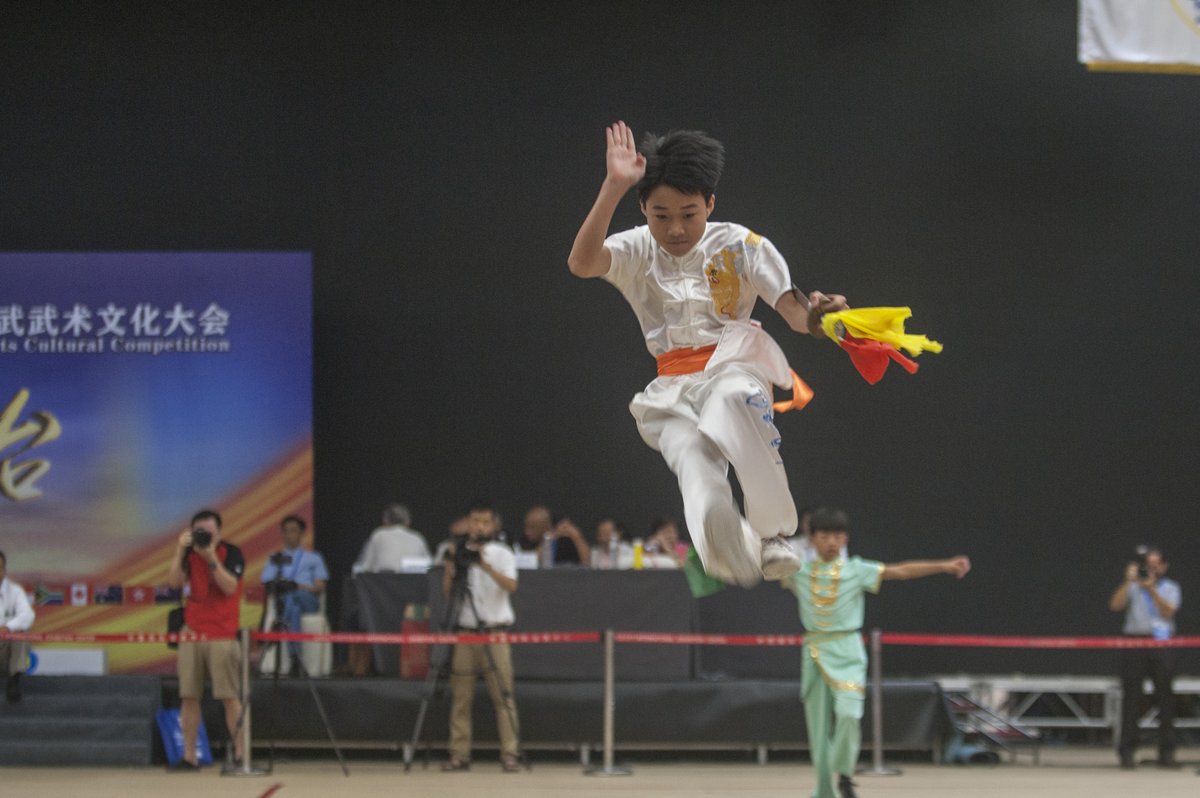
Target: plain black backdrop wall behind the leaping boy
[[439, 159]]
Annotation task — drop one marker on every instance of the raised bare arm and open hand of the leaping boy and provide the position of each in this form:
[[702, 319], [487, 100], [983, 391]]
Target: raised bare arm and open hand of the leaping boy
[[590, 259]]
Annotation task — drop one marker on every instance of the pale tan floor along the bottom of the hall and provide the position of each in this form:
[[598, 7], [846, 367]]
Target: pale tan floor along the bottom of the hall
[[1064, 773]]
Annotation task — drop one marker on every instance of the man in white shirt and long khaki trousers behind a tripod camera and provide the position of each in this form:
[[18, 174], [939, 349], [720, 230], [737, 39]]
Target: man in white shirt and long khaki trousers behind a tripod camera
[[479, 577]]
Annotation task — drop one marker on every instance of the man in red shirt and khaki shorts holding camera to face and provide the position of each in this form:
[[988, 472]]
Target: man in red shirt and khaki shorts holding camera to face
[[213, 571]]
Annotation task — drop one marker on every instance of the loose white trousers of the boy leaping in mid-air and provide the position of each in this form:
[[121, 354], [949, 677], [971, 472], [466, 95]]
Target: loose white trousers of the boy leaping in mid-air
[[717, 421]]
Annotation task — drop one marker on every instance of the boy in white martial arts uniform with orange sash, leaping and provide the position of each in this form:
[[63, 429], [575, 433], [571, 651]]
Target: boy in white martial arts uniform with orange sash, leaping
[[693, 285]]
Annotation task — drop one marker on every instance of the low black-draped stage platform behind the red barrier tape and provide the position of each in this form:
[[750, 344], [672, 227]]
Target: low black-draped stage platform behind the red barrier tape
[[567, 716]]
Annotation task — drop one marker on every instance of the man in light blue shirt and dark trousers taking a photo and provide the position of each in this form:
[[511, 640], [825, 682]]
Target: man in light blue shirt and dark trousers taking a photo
[[1150, 602]]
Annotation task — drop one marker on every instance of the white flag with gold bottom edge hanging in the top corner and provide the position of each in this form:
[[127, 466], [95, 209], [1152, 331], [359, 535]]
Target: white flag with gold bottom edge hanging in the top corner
[[1141, 35]]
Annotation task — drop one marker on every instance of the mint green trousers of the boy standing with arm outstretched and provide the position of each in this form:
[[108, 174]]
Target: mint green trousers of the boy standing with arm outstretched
[[841, 703]]
